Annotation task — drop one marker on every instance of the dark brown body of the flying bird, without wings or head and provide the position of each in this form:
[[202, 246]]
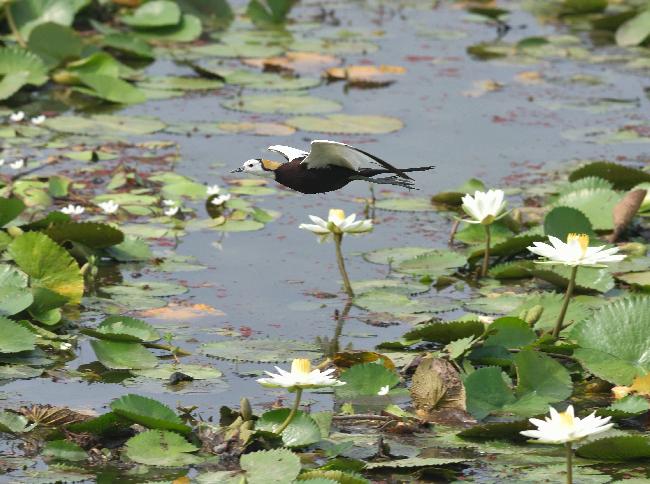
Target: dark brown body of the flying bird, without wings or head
[[298, 177]]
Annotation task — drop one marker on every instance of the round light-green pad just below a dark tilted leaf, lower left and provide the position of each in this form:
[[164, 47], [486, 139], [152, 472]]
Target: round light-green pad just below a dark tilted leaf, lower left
[[161, 448]]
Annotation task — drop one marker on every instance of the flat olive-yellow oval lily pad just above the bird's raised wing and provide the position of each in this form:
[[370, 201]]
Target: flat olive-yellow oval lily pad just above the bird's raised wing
[[346, 124]]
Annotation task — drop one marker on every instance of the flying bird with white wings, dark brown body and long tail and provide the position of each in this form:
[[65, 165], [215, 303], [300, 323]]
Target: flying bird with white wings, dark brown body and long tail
[[329, 166]]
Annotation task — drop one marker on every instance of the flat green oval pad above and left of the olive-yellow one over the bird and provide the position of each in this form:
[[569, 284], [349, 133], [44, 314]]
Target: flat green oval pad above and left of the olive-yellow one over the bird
[[282, 104]]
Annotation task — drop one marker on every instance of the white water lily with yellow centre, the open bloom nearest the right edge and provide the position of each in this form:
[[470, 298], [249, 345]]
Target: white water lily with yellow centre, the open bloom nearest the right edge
[[575, 252]]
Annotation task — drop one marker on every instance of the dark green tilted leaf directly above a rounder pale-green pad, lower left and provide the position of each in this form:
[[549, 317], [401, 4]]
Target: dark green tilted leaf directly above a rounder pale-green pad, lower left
[[148, 412]]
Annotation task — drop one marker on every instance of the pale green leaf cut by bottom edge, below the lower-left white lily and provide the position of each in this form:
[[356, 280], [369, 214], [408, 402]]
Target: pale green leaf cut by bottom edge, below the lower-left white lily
[[277, 466]]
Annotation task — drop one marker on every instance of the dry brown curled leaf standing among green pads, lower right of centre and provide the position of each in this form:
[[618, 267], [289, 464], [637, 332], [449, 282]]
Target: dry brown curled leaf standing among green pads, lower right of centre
[[436, 388]]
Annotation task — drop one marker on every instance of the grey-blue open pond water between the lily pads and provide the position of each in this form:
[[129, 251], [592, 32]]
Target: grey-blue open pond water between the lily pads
[[509, 122]]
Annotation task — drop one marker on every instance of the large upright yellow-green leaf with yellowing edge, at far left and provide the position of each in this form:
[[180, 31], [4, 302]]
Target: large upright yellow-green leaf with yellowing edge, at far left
[[48, 265]]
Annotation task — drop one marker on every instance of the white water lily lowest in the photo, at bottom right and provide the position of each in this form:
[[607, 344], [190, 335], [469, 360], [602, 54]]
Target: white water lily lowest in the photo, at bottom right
[[565, 427]]
